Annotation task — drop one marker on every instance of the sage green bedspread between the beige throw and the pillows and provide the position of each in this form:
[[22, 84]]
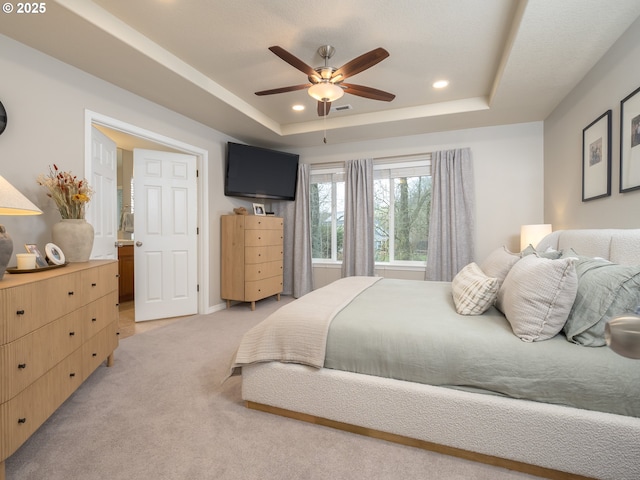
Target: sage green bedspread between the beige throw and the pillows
[[409, 330]]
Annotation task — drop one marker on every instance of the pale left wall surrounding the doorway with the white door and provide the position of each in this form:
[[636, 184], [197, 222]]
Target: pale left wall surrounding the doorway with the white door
[[46, 101]]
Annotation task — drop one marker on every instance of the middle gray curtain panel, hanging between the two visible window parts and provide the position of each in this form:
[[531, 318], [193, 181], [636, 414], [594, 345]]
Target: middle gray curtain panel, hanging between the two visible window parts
[[358, 254]]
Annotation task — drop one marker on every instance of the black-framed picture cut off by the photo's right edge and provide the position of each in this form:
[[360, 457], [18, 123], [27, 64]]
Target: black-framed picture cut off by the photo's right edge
[[630, 142]]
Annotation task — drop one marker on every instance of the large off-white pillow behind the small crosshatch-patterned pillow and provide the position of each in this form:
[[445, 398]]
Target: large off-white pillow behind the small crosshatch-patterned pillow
[[537, 296]]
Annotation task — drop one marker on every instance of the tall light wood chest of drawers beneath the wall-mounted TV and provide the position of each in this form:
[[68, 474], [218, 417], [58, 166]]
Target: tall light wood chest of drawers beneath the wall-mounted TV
[[252, 256]]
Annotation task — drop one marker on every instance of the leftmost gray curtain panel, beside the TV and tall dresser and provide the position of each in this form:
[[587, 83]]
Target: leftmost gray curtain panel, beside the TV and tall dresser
[[298, 271]]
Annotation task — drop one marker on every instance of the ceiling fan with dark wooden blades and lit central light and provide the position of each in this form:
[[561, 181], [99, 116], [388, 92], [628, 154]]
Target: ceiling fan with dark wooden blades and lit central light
[[326, 82]]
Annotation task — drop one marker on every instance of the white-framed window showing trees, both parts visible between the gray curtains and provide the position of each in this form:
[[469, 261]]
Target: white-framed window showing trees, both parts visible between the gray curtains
[[402, 202]]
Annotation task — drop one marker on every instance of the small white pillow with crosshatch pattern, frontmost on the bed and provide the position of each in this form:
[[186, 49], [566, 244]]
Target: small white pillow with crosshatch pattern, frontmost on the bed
[[473, 292]]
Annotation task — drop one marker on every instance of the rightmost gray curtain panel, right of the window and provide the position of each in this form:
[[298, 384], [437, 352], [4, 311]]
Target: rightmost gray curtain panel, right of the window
[[452, 222]]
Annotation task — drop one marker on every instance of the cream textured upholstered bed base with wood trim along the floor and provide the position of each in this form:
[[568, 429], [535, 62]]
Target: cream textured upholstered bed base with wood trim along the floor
[[550, 438]]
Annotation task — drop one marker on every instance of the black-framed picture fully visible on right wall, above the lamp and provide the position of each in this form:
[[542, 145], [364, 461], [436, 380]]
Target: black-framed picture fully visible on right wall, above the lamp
[[596, 158]]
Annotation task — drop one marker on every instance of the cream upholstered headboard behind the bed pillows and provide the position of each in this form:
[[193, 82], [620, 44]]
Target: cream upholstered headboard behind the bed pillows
[[621, 246]]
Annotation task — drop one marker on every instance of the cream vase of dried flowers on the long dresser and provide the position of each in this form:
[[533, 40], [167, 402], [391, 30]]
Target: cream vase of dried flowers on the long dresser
[[73, 234]]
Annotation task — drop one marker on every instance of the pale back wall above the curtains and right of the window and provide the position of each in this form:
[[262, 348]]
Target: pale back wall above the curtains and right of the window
[[508, 167]]
